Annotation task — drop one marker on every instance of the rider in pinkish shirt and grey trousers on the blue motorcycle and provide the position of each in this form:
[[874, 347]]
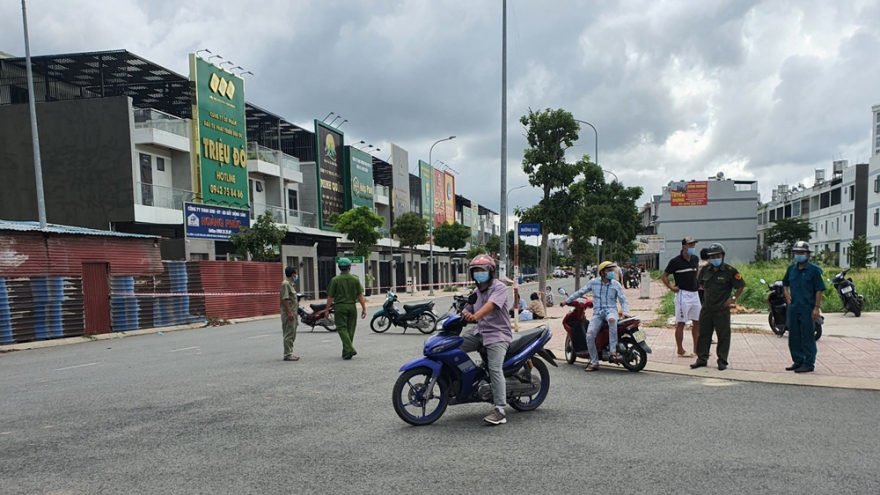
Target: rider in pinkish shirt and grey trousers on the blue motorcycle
[[492, 331]]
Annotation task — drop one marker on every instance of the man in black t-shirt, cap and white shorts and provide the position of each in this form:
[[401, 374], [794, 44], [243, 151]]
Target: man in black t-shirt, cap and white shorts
[[687, 300]]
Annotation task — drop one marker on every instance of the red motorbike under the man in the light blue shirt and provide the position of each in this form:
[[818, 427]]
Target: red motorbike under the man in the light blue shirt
[[631, 345]]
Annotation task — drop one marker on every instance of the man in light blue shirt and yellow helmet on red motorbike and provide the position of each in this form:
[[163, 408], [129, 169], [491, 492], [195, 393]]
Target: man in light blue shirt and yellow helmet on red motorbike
[[607, 291]]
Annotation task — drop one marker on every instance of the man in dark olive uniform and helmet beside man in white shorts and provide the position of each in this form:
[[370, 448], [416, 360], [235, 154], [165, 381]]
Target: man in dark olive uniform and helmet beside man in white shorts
[[717, 280]]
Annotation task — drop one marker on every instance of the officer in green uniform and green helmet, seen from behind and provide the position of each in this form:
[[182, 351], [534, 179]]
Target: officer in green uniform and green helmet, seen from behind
[[345, 290]]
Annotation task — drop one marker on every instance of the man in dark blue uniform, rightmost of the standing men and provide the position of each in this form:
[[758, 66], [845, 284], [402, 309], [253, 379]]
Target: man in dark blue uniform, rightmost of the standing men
[[803, 284]]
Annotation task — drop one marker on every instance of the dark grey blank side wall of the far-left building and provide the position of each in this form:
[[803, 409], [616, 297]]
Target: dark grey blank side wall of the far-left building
[[86, 150]]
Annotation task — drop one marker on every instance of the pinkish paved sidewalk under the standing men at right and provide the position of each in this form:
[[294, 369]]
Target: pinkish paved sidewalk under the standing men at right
[[849, 350]]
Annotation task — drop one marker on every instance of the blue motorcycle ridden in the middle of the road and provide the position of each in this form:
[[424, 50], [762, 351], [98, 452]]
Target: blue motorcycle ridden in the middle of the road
[[446, 375]]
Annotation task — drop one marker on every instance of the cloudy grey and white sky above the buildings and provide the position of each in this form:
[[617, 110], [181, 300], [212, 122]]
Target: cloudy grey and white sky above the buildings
[[765, 90]]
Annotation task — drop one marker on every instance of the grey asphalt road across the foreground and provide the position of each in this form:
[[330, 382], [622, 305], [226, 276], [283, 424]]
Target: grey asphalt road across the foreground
[[215, 411]]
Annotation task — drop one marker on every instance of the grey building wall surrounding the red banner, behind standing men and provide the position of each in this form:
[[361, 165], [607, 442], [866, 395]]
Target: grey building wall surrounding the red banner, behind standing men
[[729, 217]]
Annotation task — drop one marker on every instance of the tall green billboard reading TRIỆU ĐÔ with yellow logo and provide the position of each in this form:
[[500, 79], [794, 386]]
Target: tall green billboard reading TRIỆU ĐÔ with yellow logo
[[218, 133]]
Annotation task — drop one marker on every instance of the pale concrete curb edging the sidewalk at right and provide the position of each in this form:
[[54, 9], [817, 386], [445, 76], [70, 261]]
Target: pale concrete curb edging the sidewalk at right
[[843, 382]]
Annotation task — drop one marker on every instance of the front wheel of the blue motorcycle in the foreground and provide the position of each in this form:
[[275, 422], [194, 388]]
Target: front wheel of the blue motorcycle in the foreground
[[409, 397]]
